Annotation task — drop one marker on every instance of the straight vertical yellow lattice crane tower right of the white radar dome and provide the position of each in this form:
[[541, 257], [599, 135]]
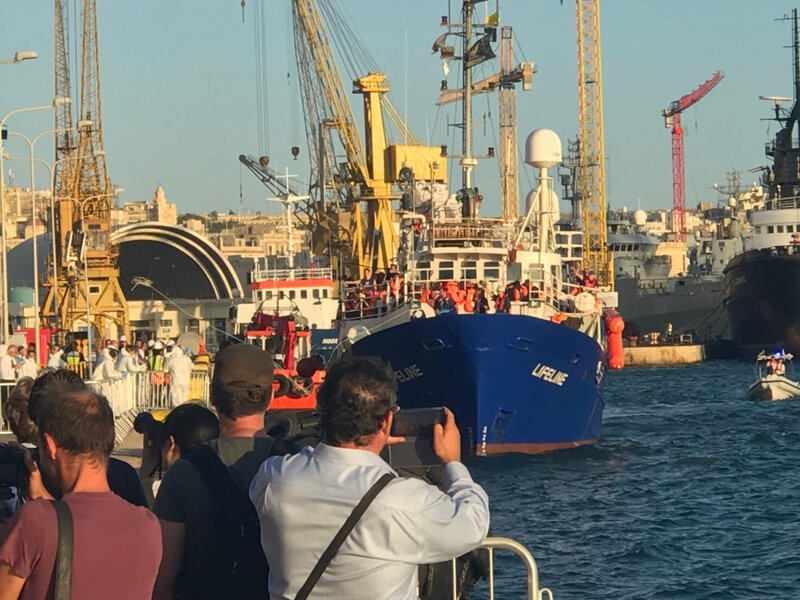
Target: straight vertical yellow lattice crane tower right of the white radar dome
[[592, 151]]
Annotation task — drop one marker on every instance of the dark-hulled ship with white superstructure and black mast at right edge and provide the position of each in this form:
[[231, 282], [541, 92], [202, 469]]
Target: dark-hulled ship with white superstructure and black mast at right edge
[[762, 285]]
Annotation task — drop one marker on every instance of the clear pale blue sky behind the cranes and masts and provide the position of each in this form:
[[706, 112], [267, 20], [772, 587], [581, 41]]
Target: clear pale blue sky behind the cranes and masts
[[178, 84]]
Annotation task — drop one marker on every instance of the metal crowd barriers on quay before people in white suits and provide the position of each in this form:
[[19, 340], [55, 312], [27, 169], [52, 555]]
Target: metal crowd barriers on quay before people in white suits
[[145, 390]]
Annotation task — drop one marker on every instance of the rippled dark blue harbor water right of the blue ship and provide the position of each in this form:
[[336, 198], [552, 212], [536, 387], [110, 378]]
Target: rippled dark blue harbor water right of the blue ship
[[693, 492]]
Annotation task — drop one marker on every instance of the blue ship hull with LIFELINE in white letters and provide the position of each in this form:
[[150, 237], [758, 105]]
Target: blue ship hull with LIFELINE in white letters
[[515, 383]]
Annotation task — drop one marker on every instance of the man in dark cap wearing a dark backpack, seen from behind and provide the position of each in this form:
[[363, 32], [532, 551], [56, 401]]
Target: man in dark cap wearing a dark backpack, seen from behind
[[209, 527]]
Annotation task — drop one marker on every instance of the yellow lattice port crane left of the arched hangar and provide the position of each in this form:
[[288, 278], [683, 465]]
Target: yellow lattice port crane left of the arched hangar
[[83, 286]]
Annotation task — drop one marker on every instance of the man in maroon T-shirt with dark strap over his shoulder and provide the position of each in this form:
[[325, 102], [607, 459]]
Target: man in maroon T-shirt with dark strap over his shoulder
[[114, 545]]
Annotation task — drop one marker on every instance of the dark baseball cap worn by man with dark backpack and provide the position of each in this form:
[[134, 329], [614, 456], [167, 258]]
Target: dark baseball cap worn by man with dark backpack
[[243, 368]]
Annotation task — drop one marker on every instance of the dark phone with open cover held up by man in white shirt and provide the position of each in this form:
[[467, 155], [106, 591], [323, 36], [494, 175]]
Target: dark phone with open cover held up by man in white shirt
[[416, 425]]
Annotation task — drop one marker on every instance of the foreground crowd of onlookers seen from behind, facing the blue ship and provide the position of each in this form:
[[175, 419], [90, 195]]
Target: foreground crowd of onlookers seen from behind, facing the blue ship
[[238, 514]]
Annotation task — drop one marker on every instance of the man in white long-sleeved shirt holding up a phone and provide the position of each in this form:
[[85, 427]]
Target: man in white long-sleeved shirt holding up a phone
[[303, 500]]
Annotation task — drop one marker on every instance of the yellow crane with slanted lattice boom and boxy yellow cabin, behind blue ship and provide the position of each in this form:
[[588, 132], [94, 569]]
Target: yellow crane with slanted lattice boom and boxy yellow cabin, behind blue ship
[[355, 173]]
